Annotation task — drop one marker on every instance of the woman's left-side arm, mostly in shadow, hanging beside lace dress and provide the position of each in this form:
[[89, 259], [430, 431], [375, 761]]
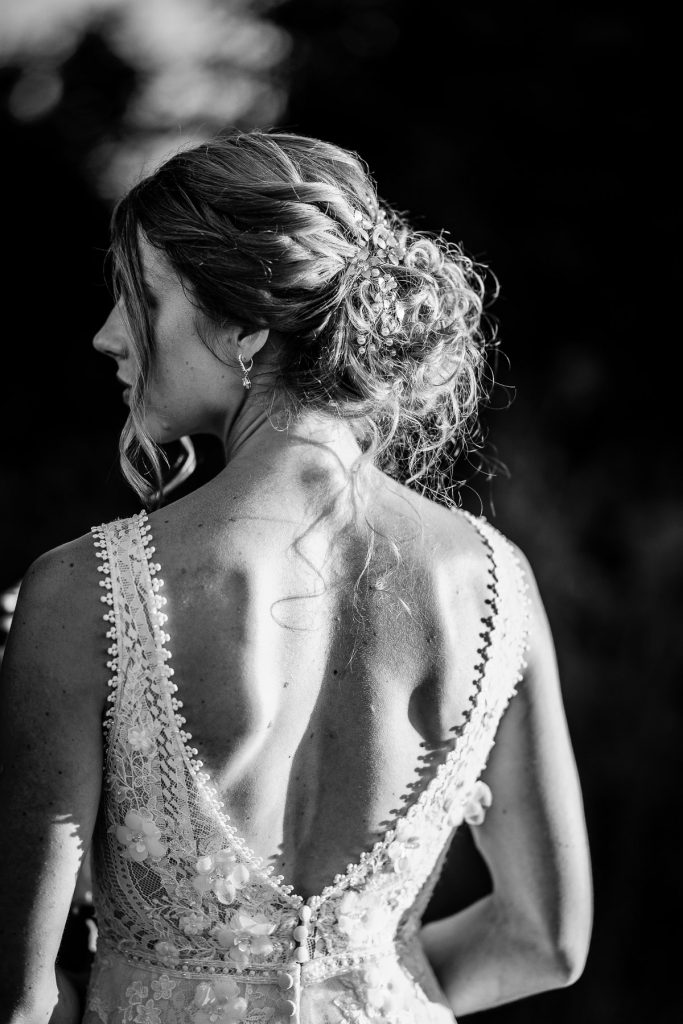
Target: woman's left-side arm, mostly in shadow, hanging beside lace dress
[[53, 693]]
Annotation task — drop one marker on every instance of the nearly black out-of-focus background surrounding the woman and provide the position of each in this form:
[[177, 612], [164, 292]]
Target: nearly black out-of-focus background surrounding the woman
[[543, 138]]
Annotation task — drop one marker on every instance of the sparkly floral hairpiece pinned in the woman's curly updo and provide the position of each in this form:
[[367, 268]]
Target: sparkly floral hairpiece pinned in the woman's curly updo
[[383, 313]]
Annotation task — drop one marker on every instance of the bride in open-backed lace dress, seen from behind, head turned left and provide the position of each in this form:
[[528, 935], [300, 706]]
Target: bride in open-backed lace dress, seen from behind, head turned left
[[265, 709]]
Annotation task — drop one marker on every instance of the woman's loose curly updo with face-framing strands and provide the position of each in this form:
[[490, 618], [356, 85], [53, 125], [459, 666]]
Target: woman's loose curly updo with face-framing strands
[[264, 230]]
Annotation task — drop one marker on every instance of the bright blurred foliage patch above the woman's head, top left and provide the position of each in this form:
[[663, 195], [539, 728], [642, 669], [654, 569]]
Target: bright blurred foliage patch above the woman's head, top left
[[132, 82]]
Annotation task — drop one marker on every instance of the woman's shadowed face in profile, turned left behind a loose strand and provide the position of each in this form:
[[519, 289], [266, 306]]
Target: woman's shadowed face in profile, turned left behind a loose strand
[[190, 390]]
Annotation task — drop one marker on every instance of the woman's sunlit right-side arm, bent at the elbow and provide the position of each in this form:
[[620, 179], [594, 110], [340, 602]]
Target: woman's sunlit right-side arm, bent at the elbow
[[532, 933]]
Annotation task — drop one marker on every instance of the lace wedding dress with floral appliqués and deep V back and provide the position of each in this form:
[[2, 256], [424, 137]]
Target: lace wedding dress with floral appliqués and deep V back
[[193, 927]]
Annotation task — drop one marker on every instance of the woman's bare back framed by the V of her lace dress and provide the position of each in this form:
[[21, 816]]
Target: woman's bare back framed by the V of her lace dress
[[319, 721]]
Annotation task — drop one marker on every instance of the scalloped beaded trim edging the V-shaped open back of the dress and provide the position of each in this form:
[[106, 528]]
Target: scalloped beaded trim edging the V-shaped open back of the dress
[[369, 860]]
